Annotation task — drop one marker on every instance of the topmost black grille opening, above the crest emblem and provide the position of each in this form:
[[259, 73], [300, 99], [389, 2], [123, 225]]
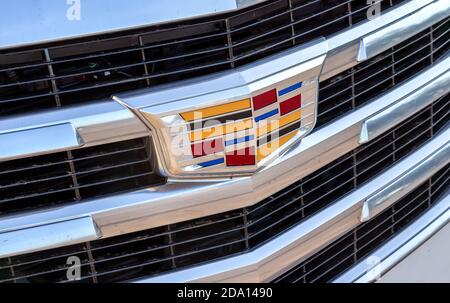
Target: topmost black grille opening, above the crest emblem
[[80, 70]]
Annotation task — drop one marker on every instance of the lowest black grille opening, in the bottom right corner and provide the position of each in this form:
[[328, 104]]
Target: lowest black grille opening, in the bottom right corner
[[340, 255]]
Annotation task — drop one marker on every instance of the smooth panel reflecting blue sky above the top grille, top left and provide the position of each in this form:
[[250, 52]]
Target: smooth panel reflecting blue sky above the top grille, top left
[[45, 21]]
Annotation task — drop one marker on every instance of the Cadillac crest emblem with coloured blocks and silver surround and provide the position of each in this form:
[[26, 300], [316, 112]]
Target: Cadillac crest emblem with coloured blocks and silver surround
[[229, 125]]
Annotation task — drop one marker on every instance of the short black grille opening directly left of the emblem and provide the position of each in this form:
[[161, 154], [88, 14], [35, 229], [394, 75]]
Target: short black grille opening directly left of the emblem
[[74, 175]]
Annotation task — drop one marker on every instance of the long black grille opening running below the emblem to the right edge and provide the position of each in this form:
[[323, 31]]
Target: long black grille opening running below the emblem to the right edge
[[174, 246]]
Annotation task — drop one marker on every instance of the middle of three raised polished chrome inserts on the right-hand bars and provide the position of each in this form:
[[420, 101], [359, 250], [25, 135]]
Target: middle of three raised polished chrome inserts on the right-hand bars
[[381, 122]]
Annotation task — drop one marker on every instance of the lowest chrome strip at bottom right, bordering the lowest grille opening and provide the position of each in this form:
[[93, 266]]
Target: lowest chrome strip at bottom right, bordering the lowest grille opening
[[396, 249]]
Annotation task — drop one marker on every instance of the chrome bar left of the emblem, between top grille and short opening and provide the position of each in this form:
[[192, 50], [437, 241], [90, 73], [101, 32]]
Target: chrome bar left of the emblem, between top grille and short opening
[[93, 124]]
